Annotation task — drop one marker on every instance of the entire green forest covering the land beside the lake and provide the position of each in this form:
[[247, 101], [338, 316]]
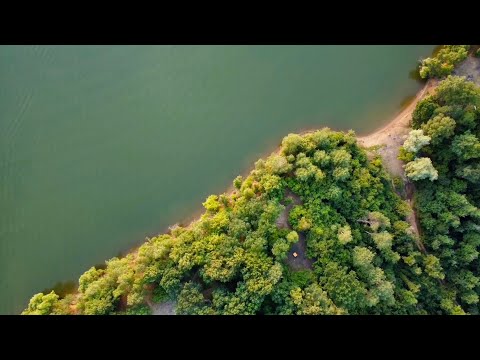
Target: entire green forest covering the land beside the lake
[[333, 202]]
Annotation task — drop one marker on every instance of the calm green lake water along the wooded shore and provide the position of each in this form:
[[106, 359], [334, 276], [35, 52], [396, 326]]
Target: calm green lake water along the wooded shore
[[101, 146]]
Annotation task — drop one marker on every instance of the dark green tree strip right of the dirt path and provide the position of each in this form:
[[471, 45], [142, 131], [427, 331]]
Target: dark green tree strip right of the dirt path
[[448, 208]]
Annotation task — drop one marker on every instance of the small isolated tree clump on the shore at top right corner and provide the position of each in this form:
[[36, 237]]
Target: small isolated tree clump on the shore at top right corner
[[444, 62]]
